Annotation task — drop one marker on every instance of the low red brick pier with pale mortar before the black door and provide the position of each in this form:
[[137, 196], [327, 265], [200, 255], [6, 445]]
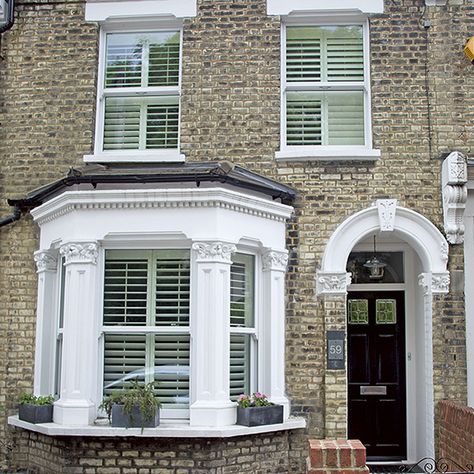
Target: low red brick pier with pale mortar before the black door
[[340, 456]]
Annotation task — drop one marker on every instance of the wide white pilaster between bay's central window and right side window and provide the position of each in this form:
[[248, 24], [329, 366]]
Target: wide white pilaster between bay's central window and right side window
[[210, 316]]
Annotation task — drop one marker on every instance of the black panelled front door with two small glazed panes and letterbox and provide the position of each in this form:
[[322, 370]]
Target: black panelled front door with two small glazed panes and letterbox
[[376, 372]]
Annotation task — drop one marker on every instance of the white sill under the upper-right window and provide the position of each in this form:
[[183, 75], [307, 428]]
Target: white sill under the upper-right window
[[325, 153]]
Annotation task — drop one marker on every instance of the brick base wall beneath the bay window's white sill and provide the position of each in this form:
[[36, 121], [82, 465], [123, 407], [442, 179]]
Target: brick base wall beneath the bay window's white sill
[[263, 454]]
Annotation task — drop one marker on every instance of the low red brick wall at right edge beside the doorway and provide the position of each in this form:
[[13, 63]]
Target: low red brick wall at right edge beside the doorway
[[456, 434]]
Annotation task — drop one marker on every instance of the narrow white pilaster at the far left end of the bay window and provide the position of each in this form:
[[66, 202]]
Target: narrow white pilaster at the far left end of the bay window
[[47, 264]]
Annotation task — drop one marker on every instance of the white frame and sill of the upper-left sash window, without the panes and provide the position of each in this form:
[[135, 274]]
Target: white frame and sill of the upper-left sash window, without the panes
[[152, 155]]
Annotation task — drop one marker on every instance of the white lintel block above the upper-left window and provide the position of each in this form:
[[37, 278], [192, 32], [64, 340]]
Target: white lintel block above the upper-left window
[[106, 10]]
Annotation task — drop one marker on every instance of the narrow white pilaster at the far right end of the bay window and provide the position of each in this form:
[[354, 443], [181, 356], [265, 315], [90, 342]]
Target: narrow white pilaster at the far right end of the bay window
[[272, 334]]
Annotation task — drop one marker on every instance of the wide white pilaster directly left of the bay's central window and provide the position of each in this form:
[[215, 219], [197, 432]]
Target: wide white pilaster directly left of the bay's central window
[[80, 351]]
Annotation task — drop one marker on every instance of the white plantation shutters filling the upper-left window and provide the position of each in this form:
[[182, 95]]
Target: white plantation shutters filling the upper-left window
[[147, 117]]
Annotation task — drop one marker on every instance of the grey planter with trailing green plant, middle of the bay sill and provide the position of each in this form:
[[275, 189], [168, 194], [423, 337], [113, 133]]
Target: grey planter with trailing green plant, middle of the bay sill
[[133, 407]]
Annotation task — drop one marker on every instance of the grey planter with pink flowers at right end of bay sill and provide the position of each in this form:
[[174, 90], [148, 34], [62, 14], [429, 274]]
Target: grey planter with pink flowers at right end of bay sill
[[256, 410]]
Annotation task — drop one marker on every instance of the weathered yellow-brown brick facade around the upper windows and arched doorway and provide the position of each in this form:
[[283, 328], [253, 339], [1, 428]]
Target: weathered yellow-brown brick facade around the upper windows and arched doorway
[[422, 107]]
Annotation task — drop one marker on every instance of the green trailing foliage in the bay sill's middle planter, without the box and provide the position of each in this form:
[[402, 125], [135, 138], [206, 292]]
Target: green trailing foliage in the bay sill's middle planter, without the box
[[136, 395]]
